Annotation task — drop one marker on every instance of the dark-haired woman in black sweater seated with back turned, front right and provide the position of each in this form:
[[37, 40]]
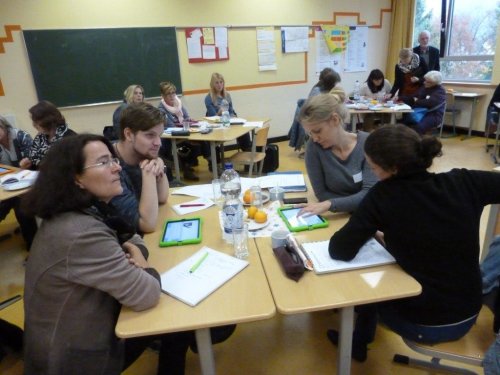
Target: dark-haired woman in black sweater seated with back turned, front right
[[430, 225]]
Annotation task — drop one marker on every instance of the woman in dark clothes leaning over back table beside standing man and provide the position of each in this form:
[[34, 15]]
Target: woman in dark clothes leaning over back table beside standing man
[[409, 74]]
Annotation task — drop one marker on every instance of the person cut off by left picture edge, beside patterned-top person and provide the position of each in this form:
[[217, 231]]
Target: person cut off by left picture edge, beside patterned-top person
[[14, 146]]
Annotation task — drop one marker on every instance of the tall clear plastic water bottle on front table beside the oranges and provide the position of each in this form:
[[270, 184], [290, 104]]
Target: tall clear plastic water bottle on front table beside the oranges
[[232, 208]]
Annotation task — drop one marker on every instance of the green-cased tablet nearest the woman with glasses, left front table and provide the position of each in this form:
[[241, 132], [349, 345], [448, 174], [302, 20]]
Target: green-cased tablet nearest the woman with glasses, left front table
[[181, 232]]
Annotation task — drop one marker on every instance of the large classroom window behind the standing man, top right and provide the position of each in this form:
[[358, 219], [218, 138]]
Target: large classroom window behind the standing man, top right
[[465, 34]]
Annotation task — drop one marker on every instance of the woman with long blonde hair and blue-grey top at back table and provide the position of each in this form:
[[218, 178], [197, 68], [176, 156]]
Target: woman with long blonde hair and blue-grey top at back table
[[213, 102]]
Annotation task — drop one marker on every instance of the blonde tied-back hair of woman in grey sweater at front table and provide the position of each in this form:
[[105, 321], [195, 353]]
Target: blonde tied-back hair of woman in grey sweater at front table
[[321, 107]]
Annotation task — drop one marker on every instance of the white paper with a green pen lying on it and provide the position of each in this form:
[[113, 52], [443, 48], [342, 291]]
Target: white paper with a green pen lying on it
[[211, 270]]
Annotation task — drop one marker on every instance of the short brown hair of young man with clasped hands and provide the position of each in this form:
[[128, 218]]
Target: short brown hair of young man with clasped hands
[[139, 117]]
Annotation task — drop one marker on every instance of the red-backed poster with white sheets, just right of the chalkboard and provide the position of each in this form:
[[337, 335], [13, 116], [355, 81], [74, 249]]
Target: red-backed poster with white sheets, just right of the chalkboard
[[206, 44]]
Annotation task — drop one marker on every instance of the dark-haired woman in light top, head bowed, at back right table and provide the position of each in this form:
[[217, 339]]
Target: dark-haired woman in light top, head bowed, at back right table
[[378, 88]]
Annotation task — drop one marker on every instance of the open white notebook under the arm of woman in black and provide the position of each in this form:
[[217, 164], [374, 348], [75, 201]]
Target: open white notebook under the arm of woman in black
[[371, 254]]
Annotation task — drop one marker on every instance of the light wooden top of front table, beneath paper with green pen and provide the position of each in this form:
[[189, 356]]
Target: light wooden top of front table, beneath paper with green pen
[[244, 298]]
